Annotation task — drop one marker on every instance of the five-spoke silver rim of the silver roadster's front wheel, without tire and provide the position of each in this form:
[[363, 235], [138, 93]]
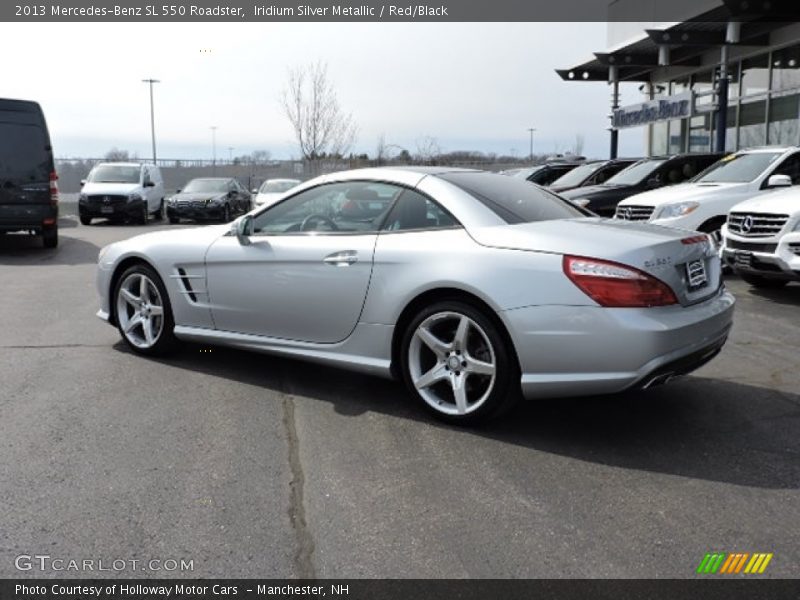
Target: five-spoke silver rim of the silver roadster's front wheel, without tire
[[140, 310]]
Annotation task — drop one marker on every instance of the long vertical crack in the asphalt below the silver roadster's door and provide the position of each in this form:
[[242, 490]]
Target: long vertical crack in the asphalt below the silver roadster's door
[[297, 515]]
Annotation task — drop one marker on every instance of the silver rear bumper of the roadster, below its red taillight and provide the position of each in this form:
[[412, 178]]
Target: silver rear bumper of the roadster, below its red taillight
[[584, 350]]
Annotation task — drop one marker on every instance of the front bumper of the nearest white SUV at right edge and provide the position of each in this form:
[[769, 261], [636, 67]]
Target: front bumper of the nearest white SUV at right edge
[[777, 260]]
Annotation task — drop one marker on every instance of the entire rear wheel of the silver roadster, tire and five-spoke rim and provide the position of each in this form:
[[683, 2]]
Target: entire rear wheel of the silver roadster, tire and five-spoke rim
[[456, 361]]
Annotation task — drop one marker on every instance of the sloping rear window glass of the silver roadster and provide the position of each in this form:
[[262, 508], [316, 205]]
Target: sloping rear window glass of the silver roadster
[[513, 200]]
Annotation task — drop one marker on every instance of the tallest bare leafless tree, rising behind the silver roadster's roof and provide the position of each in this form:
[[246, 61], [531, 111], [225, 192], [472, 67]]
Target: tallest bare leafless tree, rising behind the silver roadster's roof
[[321, 126]]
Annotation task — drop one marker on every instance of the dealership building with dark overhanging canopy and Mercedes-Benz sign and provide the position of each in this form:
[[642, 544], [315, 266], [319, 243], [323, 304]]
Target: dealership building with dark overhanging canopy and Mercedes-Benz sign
[[725, 77]]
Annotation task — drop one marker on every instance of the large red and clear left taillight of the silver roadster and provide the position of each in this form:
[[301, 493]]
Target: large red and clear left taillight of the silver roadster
[[615, 285]]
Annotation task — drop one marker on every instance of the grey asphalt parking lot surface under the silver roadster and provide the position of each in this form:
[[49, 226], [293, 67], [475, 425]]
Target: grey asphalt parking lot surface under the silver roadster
[[255, 466]]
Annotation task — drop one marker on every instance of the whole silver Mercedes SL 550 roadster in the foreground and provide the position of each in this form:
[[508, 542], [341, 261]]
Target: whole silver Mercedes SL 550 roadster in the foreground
[[471, 287]]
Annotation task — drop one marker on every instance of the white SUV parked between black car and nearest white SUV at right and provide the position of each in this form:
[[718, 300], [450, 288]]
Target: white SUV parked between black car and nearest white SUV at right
[[703, 203]]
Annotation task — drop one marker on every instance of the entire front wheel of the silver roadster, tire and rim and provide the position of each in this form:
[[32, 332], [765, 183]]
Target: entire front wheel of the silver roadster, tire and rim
[[143, 312]]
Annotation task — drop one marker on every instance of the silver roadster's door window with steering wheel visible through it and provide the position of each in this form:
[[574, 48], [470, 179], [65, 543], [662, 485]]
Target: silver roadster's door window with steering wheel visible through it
[[344, 207]]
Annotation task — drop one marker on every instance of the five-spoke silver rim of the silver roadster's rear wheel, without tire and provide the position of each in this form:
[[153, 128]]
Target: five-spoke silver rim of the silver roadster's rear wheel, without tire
[[452, 363]]
